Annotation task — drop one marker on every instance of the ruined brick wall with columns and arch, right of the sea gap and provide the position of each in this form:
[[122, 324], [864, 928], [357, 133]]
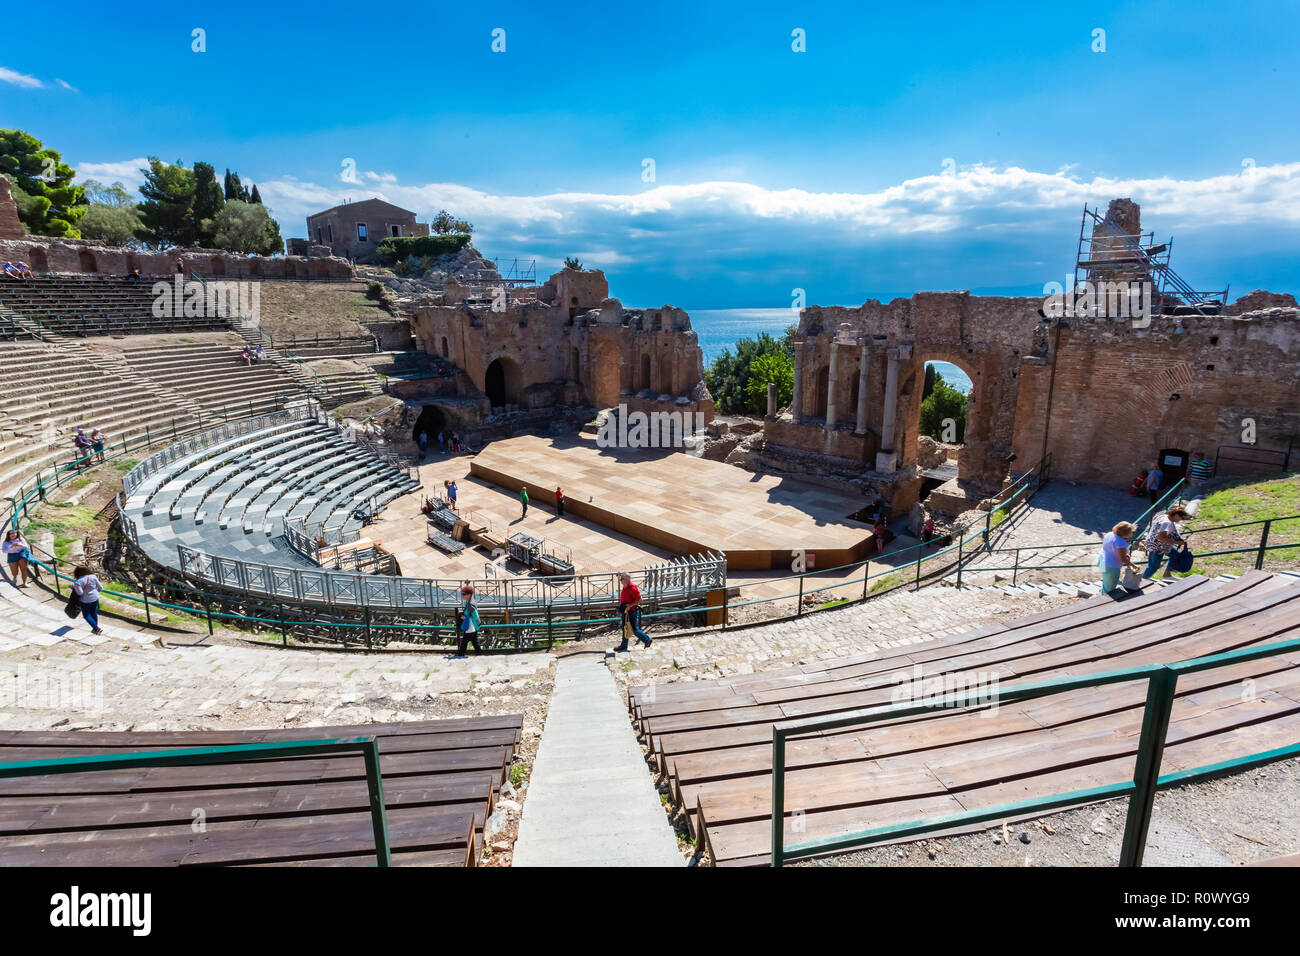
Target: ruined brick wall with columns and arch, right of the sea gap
[[1112, 404]]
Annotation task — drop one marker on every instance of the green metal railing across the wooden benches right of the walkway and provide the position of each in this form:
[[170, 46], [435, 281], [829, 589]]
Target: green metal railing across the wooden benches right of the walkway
[[1162, 689]]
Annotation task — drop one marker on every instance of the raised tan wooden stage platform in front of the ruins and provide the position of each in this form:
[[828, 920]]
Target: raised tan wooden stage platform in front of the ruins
[[683, 504]]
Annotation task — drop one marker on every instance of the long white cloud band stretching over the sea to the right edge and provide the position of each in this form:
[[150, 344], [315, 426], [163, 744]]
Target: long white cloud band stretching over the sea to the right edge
[[967, 200]]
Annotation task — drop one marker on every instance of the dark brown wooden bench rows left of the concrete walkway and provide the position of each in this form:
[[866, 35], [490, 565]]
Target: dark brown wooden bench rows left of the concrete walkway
[[441, 780]]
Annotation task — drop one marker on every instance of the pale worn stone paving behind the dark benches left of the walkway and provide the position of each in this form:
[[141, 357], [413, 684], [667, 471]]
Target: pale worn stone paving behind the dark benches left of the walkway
[[55, 674]]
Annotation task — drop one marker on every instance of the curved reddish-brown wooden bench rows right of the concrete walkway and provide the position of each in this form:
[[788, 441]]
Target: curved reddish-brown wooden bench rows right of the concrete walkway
[[714, 739]]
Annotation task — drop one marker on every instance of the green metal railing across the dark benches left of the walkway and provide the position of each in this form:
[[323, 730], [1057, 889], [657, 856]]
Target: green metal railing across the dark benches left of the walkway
[[235, 754]]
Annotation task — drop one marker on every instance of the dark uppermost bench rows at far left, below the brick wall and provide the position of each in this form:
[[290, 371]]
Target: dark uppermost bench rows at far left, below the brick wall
[[94, 306]]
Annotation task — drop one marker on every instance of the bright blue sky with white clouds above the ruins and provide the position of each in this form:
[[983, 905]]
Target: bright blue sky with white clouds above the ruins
[[925, 146]]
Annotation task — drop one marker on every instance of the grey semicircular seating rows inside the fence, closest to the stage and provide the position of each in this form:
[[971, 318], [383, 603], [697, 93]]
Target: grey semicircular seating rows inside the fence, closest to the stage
[[232, 498]]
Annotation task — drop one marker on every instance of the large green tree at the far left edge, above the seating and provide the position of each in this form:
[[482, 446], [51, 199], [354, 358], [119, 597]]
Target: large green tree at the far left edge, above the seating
[[42, 184]]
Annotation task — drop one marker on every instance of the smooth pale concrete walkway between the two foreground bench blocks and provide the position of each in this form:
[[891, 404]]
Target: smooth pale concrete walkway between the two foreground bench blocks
[[592, 801]]
